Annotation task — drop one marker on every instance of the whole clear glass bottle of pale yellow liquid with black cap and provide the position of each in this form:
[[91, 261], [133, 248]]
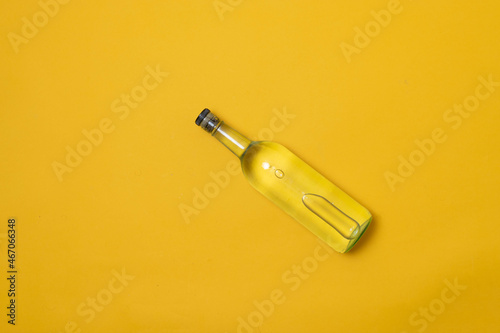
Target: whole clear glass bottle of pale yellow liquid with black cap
[[294, 186]]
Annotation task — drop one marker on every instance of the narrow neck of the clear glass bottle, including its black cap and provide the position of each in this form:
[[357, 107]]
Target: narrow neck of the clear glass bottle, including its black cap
[[228, 136]]
